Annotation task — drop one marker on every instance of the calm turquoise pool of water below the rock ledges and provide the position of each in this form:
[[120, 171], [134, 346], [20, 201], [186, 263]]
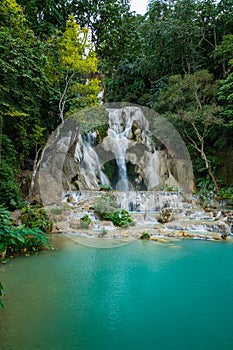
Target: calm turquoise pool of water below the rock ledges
[[139, 296]]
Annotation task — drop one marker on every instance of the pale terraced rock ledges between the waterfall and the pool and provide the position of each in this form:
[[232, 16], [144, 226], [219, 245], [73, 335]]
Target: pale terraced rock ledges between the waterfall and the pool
[[189, 221]]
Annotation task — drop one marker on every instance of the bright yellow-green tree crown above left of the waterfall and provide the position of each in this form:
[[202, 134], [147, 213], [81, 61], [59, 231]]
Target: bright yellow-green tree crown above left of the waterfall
[[72, 69]]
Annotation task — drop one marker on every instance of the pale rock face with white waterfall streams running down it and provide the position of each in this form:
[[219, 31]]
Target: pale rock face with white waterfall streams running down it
[[137, 154]]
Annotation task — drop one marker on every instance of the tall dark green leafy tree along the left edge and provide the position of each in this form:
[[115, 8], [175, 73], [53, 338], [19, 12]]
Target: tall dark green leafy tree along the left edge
[[23, 87]]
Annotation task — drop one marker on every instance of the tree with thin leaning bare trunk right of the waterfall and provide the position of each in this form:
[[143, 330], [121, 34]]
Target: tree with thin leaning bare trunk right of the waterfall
[[190, 102]]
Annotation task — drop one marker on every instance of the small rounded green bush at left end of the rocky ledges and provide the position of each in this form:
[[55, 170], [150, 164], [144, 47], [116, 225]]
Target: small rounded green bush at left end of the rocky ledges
[[35, 217]]
